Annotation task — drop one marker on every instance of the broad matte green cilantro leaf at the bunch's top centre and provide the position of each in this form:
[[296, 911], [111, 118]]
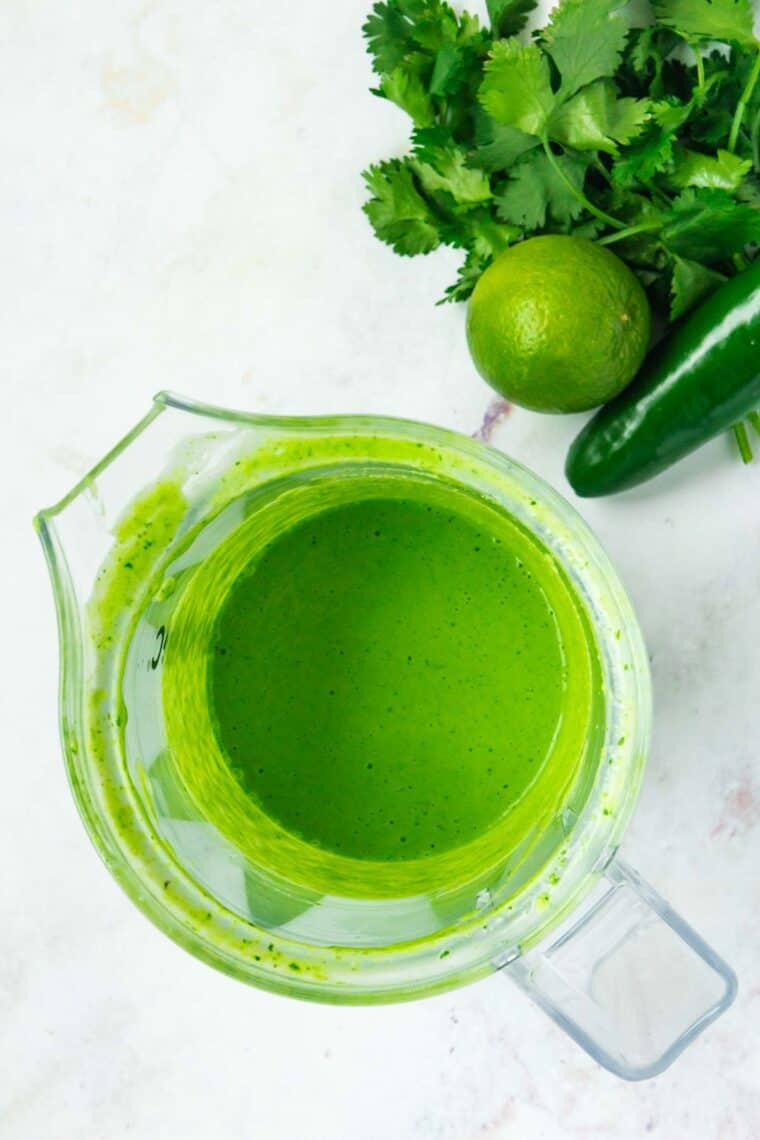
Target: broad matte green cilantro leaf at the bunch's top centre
[[586, 39]]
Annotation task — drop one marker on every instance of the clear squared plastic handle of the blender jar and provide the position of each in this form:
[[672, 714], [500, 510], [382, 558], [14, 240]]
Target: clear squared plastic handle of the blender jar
[[627, 978]]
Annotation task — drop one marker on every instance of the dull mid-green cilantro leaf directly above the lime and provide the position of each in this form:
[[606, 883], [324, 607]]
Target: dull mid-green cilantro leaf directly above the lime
[[537, 191]]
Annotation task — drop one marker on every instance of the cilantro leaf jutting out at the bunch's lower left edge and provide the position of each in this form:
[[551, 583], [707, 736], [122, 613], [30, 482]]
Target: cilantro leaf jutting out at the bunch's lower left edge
[[398, 213]]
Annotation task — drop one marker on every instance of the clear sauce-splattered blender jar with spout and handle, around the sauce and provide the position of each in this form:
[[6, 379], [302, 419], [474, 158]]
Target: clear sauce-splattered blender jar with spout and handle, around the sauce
[[562, 916]]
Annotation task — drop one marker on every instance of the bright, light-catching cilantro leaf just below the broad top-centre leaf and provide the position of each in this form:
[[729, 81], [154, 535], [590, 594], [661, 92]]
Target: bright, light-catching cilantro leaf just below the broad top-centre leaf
[[598, 120]]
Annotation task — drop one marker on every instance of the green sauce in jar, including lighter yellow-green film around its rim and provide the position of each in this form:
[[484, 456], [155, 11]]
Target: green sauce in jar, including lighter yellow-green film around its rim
[[381, 695]]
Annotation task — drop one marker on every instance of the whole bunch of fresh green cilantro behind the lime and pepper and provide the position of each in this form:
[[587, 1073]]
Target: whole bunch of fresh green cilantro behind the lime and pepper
[[644, 139]]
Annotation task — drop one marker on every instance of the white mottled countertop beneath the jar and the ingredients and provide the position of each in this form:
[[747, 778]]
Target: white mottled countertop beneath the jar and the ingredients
[[182, 209]]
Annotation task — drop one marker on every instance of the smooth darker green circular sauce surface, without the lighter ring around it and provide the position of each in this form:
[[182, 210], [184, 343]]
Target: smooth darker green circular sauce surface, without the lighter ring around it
[[388, 680]]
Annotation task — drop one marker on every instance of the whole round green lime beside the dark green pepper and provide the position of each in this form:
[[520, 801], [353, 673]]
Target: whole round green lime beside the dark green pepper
[[559, 324]]
